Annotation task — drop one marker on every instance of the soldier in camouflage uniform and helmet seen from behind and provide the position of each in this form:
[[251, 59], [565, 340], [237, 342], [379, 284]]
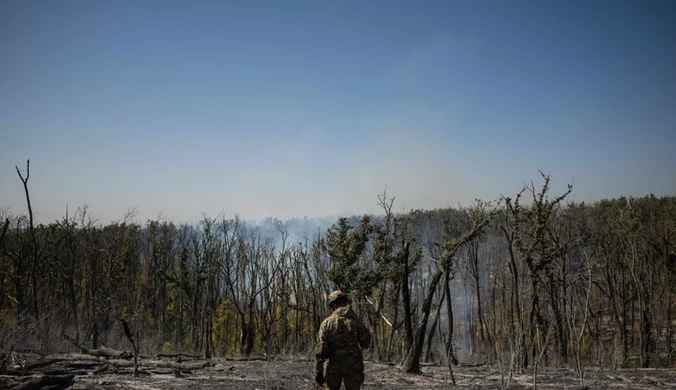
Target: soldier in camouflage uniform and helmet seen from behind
[[339, 356]]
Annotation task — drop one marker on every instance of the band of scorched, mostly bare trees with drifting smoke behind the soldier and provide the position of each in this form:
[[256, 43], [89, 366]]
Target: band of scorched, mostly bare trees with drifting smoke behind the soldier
[[525, 281]]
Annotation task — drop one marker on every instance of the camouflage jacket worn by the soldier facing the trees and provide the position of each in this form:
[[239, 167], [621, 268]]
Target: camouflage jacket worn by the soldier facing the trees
[[340, 337]]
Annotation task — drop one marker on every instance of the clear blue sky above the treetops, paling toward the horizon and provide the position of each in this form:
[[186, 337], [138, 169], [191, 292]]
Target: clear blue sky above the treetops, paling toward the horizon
[[310, 108]]
